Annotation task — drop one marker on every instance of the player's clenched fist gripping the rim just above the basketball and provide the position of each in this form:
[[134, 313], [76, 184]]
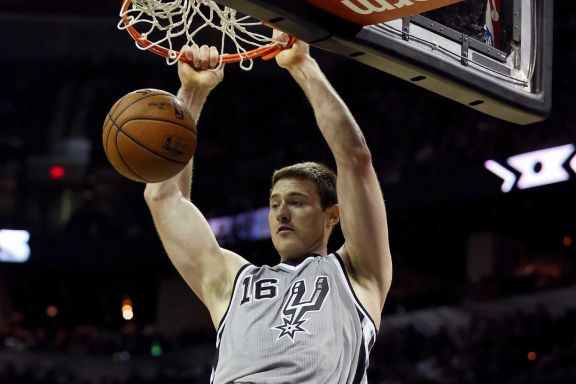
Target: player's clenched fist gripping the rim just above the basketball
[[204, 72]]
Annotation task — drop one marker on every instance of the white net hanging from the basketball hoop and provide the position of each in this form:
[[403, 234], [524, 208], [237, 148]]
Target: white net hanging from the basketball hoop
[[167, 26]]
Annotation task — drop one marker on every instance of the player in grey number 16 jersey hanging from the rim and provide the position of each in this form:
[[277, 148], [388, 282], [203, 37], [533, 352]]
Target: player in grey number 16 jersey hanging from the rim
[[312, 318]]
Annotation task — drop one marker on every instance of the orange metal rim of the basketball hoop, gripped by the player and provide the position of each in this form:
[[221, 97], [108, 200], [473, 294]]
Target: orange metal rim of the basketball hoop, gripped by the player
[[266, 53]]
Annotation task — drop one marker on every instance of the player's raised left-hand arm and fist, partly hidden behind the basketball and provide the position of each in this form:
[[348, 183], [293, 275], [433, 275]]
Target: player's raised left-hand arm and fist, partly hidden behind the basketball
[[185, 234]]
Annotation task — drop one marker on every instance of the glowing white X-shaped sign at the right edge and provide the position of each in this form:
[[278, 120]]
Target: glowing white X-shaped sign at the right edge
[[537, 168]]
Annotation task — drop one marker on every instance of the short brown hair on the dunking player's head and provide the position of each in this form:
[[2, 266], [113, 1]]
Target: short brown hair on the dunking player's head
[[321, 175]]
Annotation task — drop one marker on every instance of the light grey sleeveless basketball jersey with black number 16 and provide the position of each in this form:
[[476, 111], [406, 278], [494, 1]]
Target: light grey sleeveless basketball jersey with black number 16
[[292, 324]]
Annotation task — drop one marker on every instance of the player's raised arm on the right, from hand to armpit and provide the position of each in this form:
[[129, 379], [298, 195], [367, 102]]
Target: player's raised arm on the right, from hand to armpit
[[362, 212]]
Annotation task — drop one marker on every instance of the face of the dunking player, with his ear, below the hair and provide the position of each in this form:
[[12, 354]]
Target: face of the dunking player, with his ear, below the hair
[[298, 224]]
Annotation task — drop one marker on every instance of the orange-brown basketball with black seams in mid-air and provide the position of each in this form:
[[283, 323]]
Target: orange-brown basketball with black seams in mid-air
[[149, 136]]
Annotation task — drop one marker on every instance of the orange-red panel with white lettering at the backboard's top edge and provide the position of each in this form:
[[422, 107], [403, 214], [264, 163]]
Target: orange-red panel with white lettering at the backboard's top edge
[[367, 12]]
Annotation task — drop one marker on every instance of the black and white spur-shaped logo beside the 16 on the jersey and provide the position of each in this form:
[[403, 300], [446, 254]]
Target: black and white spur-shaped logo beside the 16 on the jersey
[[295, 308]]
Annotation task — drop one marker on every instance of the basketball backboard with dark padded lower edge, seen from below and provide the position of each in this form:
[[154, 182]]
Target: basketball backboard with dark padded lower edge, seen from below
[[491, 55]]
